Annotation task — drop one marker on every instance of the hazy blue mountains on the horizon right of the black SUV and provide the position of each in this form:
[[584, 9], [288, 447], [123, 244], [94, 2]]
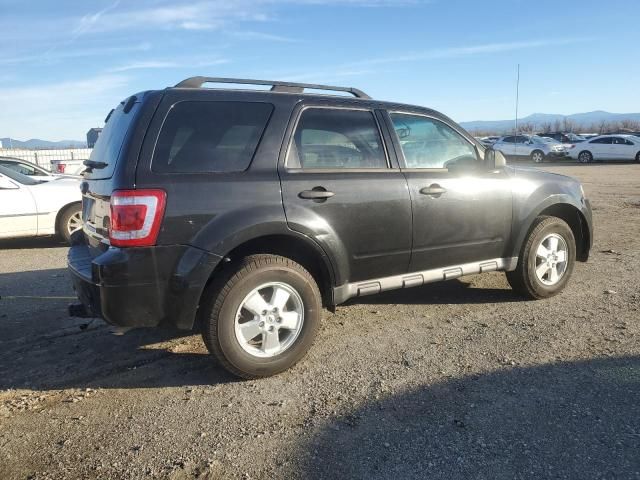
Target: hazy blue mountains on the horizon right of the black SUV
[[587, 119]]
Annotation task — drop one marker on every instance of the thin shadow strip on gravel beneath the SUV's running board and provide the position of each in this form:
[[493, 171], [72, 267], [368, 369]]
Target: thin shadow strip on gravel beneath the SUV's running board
[[450, 292]]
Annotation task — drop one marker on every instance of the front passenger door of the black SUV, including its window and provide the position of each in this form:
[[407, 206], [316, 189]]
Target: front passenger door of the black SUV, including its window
[[461, 210]]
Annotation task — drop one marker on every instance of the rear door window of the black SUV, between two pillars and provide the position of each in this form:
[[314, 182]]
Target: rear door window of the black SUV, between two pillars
[[336, 138]]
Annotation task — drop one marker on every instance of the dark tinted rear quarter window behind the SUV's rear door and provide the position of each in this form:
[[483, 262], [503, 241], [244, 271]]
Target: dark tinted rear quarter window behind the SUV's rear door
[[210, 137]]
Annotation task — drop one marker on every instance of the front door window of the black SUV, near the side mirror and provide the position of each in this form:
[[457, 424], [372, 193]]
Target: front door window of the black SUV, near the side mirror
[[429, 143]]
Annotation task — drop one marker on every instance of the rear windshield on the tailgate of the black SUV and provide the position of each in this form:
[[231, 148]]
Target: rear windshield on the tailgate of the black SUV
[[107, 148]]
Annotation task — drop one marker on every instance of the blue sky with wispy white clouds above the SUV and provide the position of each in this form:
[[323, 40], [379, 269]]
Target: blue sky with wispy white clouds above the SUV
[[64, 64]]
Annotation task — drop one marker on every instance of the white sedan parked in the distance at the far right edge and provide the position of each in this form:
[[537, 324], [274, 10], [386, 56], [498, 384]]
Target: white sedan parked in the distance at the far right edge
[[608, 147]]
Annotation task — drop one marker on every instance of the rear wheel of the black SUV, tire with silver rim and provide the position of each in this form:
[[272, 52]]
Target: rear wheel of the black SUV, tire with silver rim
[[225, 312]]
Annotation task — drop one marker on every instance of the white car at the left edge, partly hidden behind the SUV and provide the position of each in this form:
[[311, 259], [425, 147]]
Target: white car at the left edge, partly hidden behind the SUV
[[32, 207]]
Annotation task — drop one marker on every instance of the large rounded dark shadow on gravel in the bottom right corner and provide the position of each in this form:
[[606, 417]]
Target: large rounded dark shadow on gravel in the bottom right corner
[[564, 420]]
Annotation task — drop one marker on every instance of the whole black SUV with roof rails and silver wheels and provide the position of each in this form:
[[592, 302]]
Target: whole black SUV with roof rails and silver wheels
[[245, 211]]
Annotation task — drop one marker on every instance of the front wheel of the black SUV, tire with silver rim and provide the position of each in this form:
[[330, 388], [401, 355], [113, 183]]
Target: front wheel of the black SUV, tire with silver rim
[[524, 279]]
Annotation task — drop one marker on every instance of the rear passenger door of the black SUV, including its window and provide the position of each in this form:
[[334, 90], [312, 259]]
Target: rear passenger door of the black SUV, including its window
[[340, 187]]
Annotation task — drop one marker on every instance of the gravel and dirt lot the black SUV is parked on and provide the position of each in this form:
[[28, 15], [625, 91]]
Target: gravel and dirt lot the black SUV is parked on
[[455, 380]]
